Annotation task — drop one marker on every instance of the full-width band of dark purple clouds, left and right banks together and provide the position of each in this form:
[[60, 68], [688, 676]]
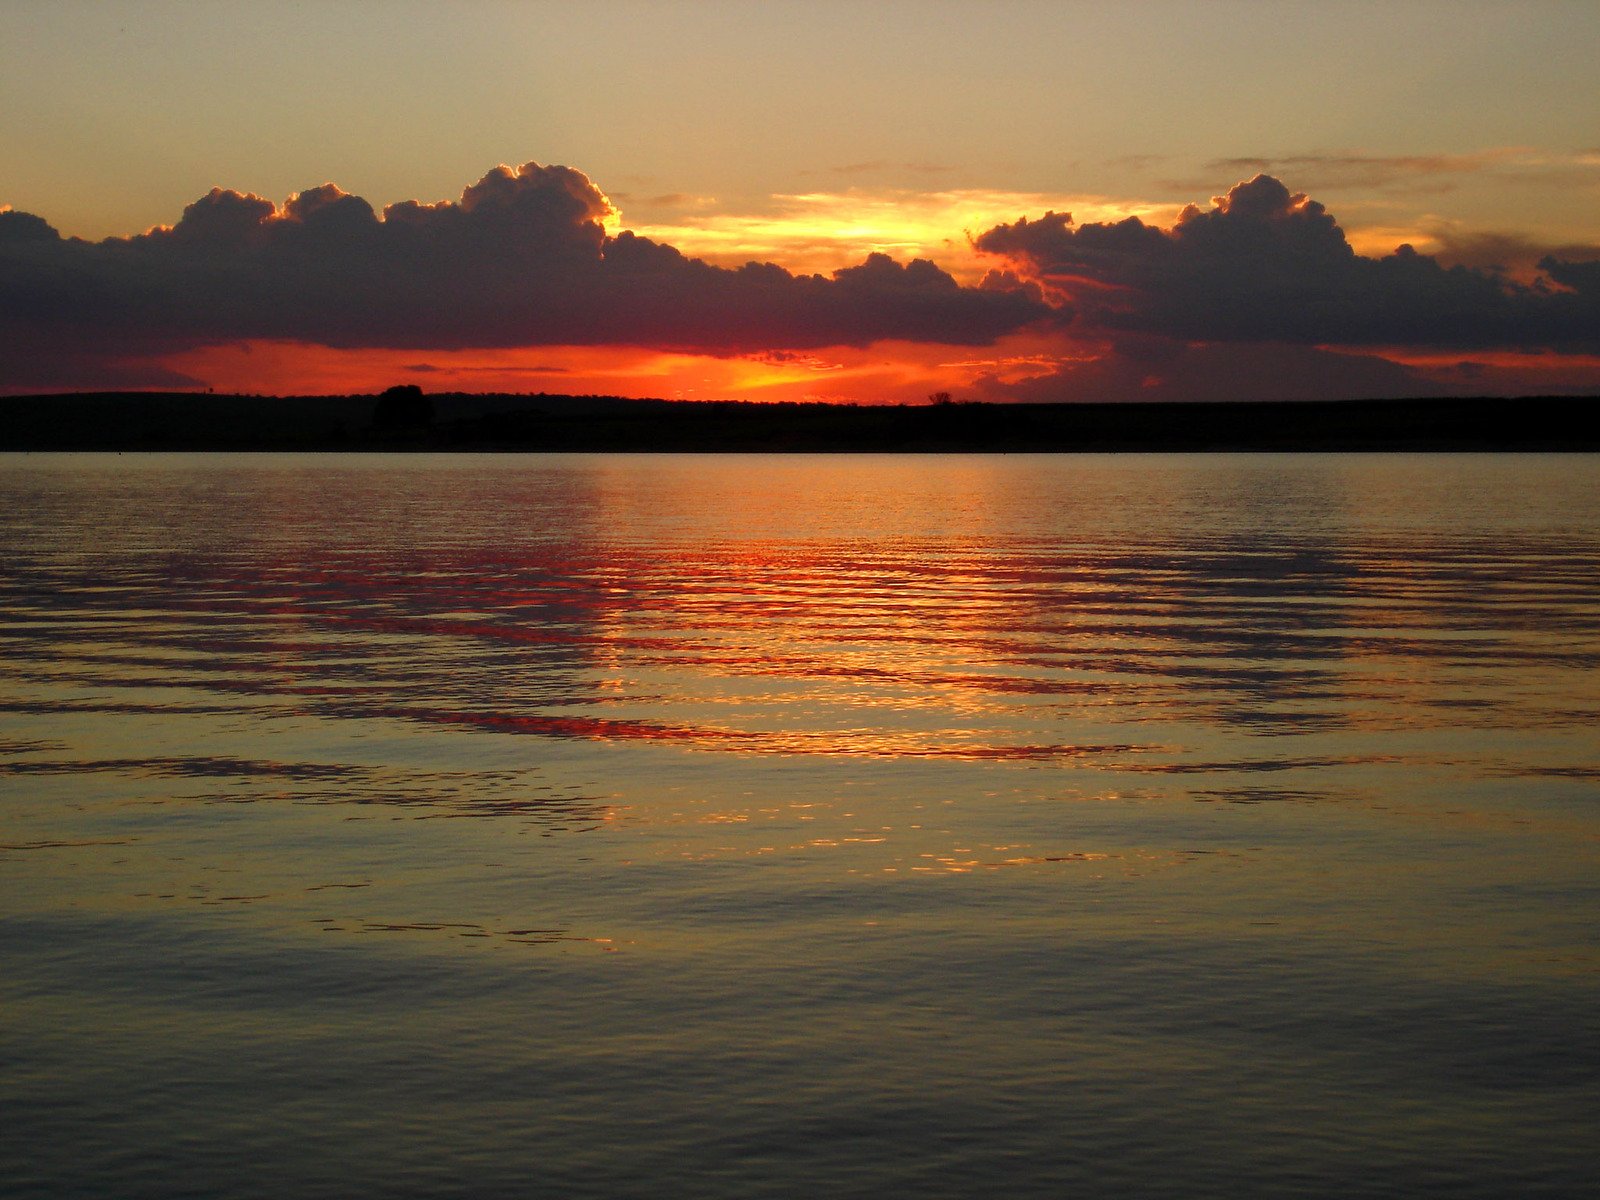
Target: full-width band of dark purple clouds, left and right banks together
[[1242, 298]]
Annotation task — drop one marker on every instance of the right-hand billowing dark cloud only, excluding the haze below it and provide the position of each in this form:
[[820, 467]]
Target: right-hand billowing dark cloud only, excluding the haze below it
[[1263, 265]]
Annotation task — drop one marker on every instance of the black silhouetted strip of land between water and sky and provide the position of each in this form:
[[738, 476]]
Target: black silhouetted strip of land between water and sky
[[404, 418]]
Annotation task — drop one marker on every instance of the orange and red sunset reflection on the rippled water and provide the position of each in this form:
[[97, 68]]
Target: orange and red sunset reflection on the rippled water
[[897, 610]]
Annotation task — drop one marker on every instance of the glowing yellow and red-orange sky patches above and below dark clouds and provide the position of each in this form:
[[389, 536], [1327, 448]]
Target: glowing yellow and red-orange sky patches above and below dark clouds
[[818, 233]]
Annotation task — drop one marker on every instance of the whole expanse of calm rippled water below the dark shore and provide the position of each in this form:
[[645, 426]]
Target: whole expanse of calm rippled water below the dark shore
[[799, 826]]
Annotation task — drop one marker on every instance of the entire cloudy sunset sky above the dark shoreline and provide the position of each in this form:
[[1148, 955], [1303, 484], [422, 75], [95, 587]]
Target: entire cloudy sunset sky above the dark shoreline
[[865, 202]]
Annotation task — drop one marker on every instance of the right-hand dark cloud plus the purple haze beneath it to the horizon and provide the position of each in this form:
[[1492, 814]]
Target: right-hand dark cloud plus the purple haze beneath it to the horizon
[[1244, 300]]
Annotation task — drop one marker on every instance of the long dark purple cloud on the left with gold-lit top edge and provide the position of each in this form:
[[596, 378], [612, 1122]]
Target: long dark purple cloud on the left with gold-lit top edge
[[522, 258]]
